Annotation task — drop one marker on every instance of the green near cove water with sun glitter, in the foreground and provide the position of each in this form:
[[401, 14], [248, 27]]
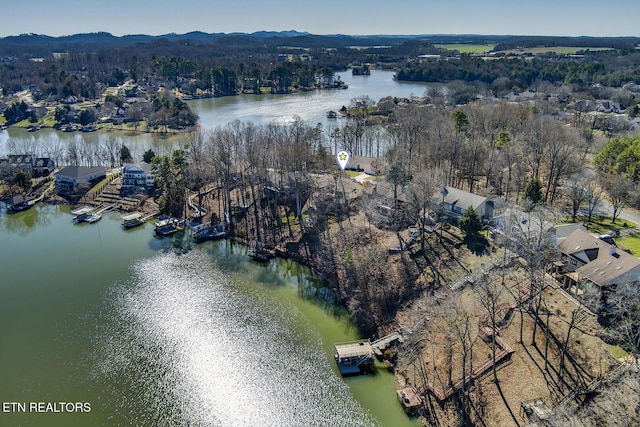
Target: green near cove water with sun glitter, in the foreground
[[164, 332]]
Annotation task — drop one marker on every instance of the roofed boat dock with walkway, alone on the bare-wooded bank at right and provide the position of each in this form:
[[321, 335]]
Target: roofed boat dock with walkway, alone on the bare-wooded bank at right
[[358, 357]]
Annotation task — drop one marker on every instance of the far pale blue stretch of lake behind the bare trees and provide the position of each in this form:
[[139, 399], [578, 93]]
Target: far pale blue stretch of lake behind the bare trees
[[259, 109]]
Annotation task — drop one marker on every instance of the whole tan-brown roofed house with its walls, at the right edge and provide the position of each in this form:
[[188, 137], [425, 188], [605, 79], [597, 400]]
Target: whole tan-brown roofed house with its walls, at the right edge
[[586, 261]]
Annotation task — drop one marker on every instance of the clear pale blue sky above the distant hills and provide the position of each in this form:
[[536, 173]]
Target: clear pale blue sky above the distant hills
[[355, 17]]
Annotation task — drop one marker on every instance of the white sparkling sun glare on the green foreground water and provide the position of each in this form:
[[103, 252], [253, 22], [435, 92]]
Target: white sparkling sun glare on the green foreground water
[[201, 349]]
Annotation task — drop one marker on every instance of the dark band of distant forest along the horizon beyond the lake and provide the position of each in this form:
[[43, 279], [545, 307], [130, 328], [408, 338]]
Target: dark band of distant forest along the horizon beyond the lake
[[224, 62]]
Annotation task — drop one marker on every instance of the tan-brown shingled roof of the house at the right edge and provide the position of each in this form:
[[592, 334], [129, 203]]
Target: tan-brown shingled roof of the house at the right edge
[[605, 263]]
